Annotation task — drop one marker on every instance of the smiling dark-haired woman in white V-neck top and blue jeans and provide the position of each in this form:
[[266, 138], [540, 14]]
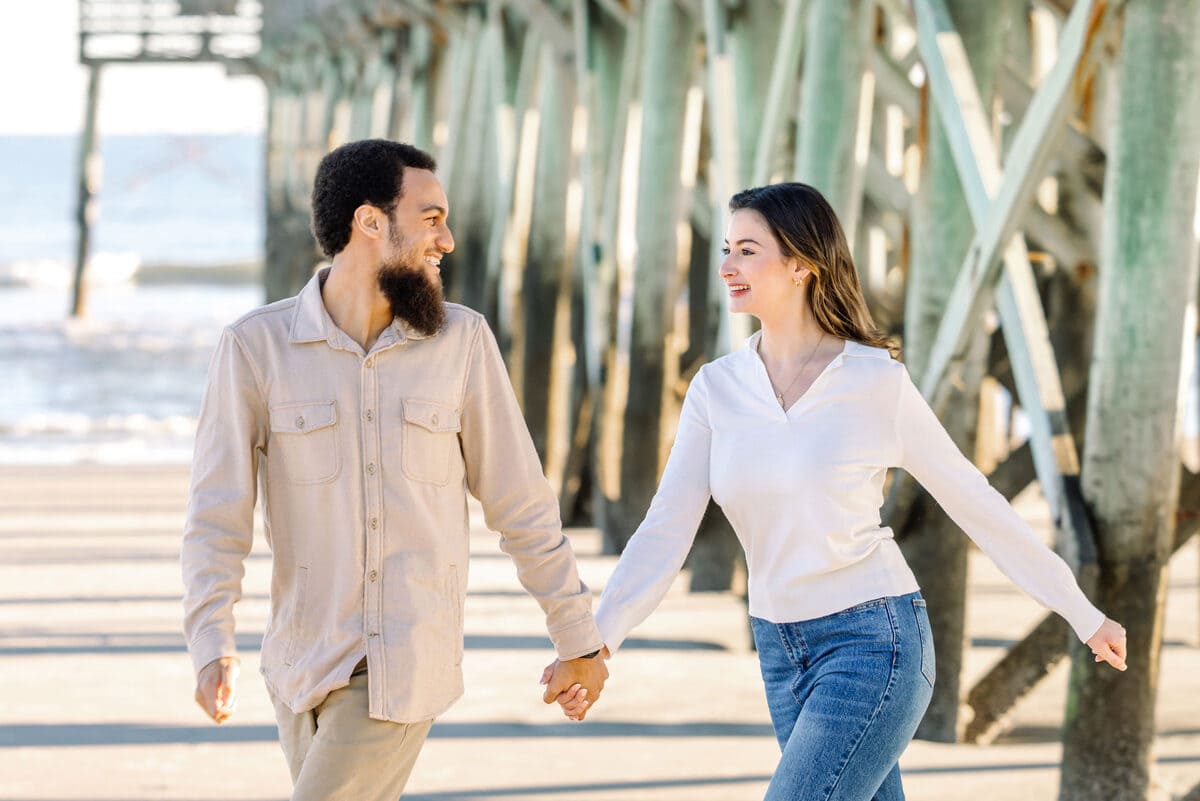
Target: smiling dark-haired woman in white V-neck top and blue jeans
[[793, 436]]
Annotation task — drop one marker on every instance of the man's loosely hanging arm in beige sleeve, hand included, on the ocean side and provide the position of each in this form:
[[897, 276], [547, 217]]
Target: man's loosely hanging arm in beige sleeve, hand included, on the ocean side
[[219, 531]]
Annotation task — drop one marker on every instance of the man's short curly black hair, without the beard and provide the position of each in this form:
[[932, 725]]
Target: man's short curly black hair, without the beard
[[369, 172]]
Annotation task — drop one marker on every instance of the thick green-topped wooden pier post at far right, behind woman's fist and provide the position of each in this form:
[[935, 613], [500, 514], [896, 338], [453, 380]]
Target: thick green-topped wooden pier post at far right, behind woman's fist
[[1148, 288]]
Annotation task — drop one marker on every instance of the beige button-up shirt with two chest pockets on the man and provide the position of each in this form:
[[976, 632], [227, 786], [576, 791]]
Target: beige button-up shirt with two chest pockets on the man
[[364, 461]]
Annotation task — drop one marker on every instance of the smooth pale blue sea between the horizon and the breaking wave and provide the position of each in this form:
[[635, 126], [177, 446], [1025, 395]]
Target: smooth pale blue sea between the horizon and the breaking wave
[[164, 200]]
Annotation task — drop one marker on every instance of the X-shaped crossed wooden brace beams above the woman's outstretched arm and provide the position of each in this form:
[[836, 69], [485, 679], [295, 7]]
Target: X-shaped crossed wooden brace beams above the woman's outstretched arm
[[995, 198]]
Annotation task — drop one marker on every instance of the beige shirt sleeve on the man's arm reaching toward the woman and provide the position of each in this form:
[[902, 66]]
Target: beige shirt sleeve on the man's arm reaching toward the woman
[[505, 474]]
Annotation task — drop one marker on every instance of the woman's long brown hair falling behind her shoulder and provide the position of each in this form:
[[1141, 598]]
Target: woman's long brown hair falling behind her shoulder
[[807, 228]]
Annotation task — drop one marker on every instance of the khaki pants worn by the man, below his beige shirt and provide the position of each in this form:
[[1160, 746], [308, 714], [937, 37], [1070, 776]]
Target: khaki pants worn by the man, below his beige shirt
[[338, 754]]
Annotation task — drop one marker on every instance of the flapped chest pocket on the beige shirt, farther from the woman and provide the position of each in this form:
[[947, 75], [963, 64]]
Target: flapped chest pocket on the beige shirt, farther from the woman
[[304, 436]]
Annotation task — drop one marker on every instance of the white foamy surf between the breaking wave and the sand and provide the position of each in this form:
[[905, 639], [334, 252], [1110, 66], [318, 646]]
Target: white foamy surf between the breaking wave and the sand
[[123, 386]]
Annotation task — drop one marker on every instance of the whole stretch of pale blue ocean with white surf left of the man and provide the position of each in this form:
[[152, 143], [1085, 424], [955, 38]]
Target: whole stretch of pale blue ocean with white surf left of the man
[[123, 386]]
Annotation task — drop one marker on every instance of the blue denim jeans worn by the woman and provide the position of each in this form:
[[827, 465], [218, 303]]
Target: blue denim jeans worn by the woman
[[847, 694]]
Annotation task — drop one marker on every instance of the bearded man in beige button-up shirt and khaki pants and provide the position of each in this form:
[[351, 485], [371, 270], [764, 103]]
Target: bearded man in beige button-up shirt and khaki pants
[[367, 408]]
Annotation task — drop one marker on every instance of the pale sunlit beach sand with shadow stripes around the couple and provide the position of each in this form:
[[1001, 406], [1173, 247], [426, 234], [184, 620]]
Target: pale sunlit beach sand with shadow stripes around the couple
[[97, 685]]
